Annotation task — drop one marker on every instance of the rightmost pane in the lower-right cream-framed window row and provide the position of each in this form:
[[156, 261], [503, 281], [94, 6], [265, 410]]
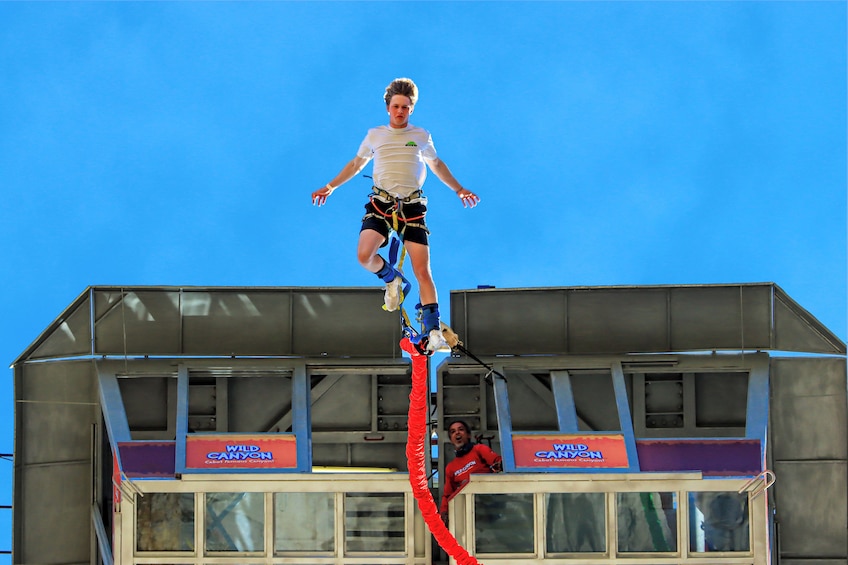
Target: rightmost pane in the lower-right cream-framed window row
[[719, 522]]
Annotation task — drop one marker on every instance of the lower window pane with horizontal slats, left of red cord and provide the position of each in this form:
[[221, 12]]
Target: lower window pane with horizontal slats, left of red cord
[[374, 522]]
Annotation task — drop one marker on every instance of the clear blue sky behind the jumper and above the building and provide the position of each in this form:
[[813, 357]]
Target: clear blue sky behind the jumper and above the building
[[612, 143]]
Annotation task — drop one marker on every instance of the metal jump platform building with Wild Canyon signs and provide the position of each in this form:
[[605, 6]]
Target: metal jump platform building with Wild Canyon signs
[[638, 425]]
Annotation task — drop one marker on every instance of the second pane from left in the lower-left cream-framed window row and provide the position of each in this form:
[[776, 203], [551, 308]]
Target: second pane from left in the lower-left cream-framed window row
[[235, 521]]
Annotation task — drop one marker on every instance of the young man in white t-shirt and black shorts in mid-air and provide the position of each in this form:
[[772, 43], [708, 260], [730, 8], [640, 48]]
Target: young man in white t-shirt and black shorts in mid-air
[[400, 152]]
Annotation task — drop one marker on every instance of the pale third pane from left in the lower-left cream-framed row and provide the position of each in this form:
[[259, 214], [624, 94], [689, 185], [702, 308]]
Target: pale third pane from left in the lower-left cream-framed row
[[303, 521]]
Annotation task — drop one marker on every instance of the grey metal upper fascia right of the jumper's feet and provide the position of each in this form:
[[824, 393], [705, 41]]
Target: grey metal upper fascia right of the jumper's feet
[[618, 320]]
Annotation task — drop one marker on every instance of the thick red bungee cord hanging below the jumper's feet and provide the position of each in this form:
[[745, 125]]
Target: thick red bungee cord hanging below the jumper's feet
[[416, 441]]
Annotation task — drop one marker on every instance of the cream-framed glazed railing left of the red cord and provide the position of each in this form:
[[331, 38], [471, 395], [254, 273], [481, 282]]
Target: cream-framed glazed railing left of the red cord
[[321, 518]]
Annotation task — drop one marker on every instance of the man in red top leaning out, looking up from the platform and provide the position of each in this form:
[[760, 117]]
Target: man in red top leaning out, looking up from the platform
[[470, 458]]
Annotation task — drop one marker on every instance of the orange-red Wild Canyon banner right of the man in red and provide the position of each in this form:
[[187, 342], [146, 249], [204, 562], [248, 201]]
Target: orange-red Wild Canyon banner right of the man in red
[[570, 451]]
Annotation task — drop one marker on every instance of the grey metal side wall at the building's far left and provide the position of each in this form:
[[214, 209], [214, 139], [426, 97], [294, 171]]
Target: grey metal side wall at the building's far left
[[54, 421]]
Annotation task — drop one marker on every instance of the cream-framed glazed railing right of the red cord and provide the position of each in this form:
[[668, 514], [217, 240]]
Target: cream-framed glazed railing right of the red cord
[[610, 519]]
